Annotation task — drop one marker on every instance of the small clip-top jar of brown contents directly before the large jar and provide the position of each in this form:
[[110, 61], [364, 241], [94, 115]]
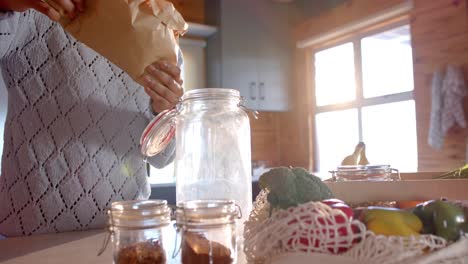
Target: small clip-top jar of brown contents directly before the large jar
[[208, 231]]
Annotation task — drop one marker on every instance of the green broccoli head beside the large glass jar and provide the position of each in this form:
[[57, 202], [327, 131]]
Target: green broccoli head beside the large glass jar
[[290, 187]]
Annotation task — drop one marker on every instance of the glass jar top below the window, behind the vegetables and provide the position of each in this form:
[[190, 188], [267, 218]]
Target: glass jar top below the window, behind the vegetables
[[365, 173]]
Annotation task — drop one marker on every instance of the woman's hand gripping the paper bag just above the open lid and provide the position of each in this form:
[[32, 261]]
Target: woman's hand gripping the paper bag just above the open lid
[[163, 84]]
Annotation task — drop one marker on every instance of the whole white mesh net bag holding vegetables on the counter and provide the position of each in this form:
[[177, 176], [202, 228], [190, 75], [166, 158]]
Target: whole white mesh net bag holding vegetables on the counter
[[315, 227]]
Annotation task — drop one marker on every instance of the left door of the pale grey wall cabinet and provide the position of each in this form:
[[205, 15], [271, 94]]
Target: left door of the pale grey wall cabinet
[[239, 49]]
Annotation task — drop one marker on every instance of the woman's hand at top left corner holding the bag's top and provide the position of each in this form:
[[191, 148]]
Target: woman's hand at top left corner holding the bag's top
[[54, 9]]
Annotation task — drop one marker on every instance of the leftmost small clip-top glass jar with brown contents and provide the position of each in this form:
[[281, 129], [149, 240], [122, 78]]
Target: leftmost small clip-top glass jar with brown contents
[[138, 231]]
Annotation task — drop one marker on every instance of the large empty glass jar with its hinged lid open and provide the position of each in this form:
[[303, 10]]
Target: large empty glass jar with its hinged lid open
[[213, 158]]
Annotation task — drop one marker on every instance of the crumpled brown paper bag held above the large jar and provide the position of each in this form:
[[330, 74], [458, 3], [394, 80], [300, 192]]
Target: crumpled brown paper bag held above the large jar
[[132, 34]]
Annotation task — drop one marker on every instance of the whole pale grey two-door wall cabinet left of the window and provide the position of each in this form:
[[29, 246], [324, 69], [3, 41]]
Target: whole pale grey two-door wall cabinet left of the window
[[251, 52]]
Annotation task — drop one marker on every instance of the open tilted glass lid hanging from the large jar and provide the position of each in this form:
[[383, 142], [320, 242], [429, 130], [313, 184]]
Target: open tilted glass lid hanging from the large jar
[[158, 134]]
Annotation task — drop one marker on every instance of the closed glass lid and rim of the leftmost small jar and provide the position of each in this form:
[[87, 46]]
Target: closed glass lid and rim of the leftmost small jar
[[139, 213]]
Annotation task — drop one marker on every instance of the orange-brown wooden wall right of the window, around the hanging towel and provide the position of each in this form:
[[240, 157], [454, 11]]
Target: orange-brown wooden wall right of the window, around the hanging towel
[[439, 32]]
